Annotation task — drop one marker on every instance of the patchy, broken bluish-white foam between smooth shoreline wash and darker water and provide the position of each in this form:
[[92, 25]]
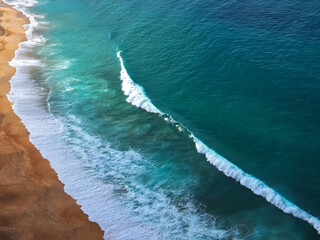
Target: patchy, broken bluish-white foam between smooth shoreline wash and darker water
[[154, 209]]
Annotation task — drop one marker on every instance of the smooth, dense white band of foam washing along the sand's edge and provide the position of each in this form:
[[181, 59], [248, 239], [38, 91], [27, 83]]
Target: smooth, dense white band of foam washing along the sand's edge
[[93, 195]]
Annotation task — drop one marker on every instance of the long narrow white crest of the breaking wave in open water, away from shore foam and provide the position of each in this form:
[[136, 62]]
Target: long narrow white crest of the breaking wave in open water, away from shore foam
[[229, 169]]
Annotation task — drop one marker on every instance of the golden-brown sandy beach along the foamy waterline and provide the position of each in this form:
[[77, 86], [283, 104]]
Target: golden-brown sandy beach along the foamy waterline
[[33, 204]]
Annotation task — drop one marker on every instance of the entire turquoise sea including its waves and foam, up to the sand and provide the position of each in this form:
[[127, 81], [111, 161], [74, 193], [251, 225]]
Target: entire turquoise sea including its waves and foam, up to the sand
[[147, 96]]
